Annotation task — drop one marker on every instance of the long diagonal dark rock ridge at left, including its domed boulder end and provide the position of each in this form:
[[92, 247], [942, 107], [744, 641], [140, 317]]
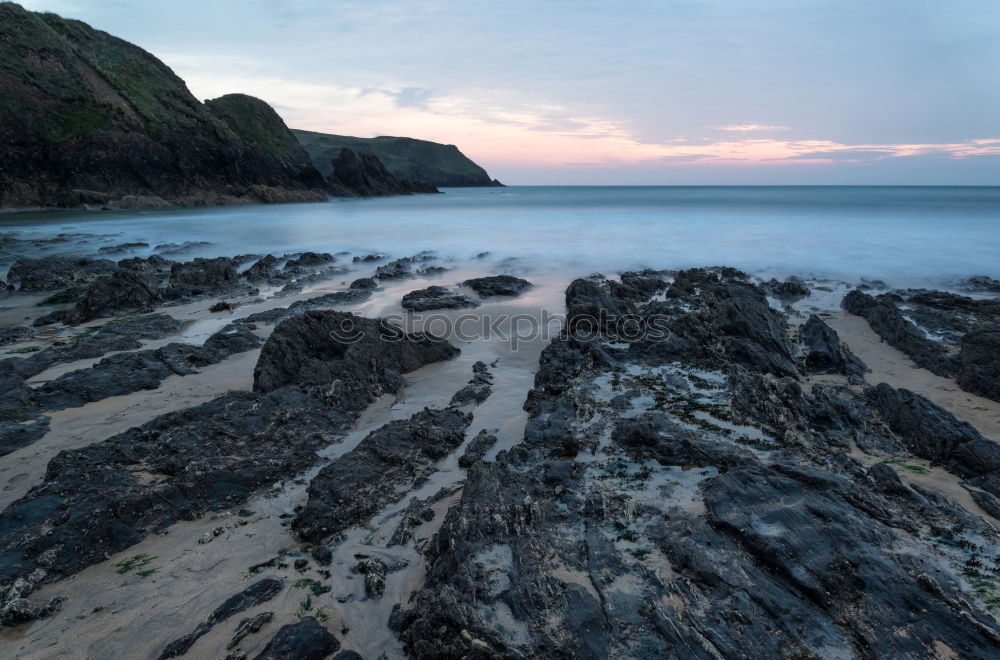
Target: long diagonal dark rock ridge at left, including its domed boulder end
[[105, 497]]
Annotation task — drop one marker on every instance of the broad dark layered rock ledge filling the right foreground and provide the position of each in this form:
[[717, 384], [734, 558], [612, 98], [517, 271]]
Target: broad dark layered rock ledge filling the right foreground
[[691, 497]]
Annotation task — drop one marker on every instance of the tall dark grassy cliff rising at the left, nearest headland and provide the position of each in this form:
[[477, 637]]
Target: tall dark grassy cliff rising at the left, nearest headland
[[87, 118]]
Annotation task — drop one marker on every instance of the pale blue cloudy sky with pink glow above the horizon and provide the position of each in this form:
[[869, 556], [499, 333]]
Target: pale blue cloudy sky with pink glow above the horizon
[[621, 92]]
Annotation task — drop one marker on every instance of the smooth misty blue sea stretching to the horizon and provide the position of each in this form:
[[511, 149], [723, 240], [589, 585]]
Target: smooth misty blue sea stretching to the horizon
[[905, 235]]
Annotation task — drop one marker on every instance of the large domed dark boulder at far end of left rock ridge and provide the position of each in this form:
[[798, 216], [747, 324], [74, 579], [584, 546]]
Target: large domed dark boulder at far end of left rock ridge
[[328, 347]]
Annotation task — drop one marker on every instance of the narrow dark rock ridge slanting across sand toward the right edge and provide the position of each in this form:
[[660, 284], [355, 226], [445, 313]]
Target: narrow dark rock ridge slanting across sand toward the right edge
[[887, 321]]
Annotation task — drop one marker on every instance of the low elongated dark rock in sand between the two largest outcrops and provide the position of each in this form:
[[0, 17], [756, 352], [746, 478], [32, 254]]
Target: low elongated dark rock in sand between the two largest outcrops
[[384, 465]]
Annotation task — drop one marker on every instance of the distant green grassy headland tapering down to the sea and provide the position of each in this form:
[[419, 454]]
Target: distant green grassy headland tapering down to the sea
[[405, 158]]
